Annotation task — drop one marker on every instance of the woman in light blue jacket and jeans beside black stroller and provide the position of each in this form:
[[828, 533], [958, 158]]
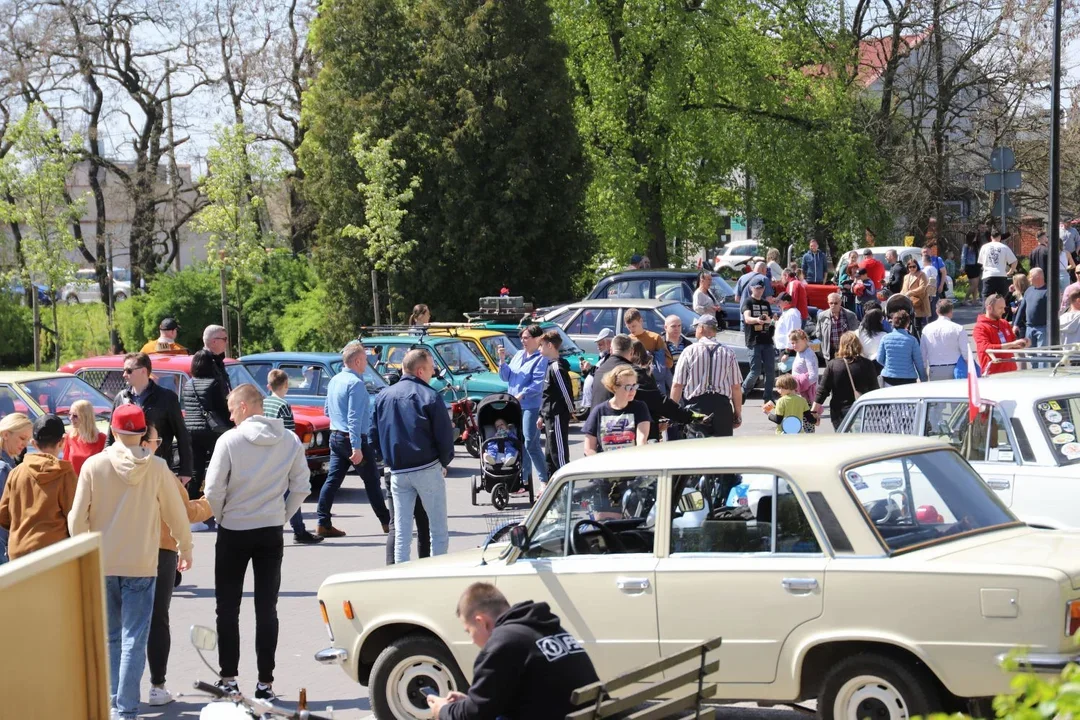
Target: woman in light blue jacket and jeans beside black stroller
[[525, 373]]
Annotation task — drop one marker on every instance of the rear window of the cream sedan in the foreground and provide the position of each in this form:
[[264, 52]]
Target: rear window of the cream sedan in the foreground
[[924, 499]]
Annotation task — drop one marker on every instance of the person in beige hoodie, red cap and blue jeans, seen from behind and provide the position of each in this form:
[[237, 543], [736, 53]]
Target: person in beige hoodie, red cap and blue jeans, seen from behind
[[125, 494]]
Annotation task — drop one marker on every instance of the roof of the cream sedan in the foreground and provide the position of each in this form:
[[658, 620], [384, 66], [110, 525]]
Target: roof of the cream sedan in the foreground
[[814, 460]]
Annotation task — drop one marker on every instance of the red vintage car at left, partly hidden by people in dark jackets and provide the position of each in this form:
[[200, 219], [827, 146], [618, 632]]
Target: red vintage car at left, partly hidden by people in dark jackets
[[105, 373]]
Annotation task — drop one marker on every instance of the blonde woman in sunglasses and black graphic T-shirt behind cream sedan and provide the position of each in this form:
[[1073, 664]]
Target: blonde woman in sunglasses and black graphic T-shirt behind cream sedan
[[620, 423]]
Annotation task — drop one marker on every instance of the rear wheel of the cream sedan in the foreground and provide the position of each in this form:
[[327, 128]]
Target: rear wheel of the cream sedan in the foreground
[[873, 686]]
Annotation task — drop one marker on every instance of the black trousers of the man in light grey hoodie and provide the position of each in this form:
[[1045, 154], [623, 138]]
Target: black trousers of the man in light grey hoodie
[[264, 549]]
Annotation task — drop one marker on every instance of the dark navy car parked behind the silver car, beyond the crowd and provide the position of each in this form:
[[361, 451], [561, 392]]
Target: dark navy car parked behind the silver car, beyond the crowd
[[668, 284]]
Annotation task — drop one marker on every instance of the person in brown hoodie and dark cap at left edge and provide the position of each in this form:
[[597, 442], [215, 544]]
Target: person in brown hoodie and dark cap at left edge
[[39, 493]]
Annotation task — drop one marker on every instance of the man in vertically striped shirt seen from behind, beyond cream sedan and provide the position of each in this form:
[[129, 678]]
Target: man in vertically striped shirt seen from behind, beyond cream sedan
[[708, 378]]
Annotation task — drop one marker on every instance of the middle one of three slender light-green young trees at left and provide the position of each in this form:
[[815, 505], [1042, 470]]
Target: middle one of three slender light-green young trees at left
[[233, 216]]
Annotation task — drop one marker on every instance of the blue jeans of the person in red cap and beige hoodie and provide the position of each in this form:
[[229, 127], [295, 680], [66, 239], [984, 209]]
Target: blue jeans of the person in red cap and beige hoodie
[[129, 605]]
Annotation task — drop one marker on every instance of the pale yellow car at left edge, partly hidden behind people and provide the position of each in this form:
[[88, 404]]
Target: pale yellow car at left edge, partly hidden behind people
[[36, 395]]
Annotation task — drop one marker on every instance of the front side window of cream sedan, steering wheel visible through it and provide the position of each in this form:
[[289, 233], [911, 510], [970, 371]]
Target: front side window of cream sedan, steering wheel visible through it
[[598, 517]]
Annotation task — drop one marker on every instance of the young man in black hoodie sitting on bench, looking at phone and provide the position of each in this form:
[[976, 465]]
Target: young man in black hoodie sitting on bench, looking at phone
[[528, 668]]
